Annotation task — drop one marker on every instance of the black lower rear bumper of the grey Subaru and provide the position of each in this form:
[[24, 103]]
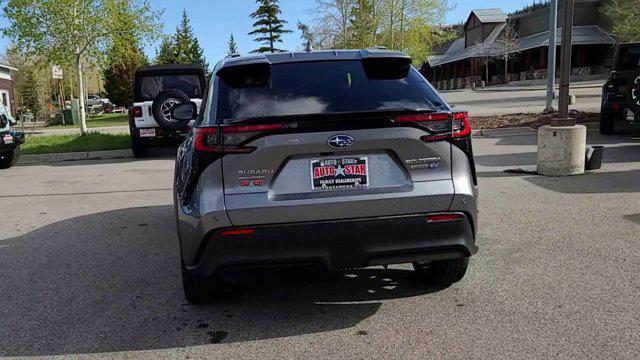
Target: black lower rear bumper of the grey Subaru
[[337, 244]]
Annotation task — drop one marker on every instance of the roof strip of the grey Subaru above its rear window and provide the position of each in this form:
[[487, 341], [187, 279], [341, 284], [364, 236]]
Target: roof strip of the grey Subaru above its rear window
[[304, 56]]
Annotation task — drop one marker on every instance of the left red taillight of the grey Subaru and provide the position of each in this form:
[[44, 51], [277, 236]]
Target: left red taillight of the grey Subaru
[[232, 139]]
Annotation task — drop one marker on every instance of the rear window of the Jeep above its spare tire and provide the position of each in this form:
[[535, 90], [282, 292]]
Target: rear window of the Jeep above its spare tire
[[148, 87]]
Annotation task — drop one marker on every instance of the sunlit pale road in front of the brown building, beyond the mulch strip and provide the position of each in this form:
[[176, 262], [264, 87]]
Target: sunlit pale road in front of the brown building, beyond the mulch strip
[[506, 100]]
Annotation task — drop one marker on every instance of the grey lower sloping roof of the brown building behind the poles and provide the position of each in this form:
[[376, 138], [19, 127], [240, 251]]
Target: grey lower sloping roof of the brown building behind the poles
[[582, 35]]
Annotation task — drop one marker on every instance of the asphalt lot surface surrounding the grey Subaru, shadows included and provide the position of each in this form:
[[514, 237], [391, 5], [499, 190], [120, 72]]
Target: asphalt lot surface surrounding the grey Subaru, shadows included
[[89, 266]]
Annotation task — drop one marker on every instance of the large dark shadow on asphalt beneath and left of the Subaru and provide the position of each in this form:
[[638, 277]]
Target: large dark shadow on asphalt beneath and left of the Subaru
[[111, 282]]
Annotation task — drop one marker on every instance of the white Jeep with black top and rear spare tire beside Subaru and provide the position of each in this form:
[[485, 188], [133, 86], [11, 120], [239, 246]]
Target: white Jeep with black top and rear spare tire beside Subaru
[[156, 90]]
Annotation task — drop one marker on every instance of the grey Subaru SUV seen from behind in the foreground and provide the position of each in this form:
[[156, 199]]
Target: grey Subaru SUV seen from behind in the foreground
[[339, 159]]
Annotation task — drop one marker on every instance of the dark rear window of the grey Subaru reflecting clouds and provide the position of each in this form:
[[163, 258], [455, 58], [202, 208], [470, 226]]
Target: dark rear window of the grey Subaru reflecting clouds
[[319, 88]]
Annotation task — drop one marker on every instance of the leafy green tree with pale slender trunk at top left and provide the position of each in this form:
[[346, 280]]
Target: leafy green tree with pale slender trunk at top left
[[75, 32]]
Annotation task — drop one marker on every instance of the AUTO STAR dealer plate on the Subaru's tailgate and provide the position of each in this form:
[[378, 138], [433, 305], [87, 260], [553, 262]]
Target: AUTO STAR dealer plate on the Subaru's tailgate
[[340, 174]]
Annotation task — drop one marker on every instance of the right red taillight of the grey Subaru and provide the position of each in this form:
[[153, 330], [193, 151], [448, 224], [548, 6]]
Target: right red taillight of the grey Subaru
[[439, 125]]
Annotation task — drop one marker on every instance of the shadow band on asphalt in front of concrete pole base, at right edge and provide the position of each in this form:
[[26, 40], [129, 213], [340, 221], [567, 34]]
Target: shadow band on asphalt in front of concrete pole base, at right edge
[[594, 183]]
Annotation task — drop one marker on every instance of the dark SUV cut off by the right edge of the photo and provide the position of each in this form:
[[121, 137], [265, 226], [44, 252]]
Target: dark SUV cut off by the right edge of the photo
[[621, 92]]
